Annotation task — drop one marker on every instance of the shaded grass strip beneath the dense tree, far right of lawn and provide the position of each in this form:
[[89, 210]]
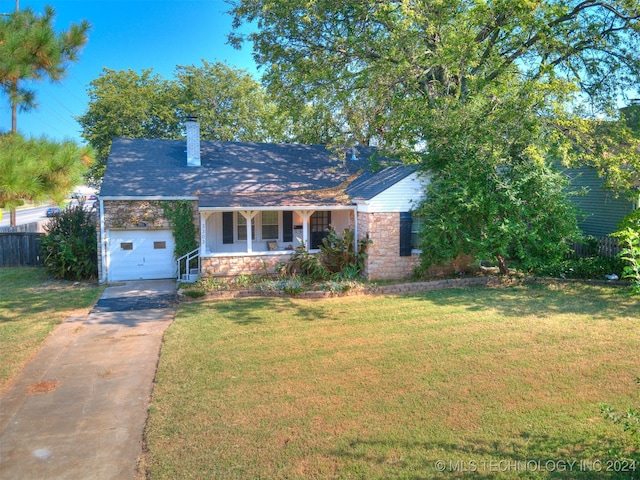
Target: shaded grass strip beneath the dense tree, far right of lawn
[[541, 300]]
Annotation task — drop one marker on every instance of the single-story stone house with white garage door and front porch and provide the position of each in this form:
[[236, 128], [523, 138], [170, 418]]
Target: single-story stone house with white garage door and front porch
[[253, 204]]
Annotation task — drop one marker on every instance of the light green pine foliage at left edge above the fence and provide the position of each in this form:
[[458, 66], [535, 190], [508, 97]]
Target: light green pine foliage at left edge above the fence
[[38, 169]]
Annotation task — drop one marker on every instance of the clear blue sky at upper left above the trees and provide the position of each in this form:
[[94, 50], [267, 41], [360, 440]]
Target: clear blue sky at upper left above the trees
[[125, 34]]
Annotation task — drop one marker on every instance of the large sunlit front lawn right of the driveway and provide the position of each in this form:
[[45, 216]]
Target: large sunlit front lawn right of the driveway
[[500, 382]]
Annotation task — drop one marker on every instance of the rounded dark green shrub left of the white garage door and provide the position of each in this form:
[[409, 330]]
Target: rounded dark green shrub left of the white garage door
[[70, 245]]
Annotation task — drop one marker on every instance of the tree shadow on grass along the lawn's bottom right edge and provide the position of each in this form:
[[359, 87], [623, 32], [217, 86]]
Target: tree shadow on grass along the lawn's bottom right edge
[[539, 456]]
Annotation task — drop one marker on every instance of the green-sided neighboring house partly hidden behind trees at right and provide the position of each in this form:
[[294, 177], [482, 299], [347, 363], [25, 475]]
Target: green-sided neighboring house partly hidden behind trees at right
[[601, 210]]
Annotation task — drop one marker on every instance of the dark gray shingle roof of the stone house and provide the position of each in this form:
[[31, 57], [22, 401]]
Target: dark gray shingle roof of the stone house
[[234, 173]]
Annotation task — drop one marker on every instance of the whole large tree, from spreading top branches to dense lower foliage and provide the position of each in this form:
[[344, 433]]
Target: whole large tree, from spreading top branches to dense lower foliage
[[484, 94]]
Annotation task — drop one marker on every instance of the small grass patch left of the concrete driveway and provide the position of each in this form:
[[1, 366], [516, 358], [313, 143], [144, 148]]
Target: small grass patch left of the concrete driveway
[[31, 305]]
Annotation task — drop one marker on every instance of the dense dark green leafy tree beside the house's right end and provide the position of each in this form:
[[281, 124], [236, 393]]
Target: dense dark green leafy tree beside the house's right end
[[496, 200]]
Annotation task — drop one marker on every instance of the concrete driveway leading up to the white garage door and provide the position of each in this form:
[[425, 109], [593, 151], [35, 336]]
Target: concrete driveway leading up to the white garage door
[[78, 408]]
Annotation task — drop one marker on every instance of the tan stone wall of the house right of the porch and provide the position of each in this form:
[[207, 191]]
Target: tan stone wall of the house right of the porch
[[384, 261]]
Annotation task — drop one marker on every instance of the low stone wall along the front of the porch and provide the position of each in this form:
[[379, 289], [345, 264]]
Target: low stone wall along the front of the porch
[[234, 265]]
